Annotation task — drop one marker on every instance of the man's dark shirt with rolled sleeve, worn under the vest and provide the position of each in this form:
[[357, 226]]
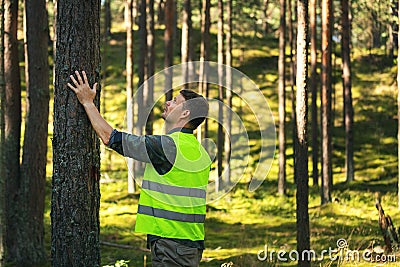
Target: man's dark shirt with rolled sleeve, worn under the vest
[[160, 151]]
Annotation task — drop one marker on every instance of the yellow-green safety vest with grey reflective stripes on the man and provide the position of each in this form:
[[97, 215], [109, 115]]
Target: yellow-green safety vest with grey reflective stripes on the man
[[173, 205]]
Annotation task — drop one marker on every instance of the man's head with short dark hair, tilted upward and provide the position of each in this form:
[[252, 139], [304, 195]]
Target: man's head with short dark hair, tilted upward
[[188, 108]]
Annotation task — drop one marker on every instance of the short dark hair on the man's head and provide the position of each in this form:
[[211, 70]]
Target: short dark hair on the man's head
[[197, 105]]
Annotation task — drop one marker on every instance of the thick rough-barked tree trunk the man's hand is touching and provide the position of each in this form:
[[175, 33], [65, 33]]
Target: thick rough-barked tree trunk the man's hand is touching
[[76, 157]]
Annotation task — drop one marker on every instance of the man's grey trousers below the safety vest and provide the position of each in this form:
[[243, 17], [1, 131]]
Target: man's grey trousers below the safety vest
[[168, 253]]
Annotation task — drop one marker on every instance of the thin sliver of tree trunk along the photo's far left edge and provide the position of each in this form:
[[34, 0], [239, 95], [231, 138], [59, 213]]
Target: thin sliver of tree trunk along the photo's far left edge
[[2, 143]]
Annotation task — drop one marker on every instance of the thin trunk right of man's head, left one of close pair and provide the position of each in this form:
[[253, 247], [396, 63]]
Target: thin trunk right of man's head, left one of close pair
[[220, 135]]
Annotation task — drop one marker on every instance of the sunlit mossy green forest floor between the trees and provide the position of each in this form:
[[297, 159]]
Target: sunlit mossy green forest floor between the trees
[[249, 228]]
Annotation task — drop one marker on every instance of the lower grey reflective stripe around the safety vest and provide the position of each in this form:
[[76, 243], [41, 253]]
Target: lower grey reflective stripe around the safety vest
[[171, 215]]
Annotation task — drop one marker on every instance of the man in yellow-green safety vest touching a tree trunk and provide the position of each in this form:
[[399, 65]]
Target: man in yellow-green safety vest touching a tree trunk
[[172, 202]]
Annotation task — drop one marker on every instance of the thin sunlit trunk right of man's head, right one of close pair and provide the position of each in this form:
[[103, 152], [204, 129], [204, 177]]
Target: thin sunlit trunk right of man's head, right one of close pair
[[228, 75]]
